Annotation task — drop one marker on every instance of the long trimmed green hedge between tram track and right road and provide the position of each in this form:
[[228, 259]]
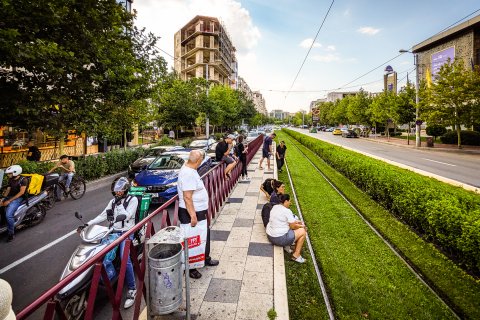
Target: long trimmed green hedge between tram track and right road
[[446, 215]]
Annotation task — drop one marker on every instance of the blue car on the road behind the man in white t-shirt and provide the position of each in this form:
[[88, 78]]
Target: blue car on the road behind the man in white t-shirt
[[160, 177]]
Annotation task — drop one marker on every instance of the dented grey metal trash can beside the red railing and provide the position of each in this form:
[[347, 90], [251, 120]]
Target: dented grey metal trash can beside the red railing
[[165, 278]]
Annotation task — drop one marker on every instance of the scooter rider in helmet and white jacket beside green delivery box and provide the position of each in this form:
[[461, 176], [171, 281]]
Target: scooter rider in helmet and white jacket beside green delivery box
[[127, 205]]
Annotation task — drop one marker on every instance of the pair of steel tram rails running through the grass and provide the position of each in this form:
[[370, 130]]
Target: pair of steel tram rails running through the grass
[[397, 253]]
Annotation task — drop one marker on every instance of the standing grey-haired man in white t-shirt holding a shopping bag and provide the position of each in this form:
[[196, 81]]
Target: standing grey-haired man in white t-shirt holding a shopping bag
[[193, 201]]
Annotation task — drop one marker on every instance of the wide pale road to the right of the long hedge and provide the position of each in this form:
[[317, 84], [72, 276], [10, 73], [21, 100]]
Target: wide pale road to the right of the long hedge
[[461, 167]]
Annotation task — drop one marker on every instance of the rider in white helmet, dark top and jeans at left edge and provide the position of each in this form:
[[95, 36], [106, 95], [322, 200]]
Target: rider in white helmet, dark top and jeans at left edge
[[13, 196]]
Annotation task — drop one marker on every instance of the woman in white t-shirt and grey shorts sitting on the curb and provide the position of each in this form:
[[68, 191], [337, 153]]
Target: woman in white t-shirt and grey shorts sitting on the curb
[[283, 229]]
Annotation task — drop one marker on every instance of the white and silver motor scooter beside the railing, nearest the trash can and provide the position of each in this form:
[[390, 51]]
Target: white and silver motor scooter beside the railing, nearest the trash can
[[73, 297]]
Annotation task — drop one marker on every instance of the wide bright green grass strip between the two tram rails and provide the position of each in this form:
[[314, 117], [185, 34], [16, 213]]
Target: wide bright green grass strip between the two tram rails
[[363, 275]]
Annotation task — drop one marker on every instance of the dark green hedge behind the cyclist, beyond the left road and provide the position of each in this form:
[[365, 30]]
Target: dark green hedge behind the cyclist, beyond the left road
[[94, 166]]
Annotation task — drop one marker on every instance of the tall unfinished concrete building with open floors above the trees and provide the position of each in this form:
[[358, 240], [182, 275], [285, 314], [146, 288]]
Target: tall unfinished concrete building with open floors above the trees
[[204, 43]]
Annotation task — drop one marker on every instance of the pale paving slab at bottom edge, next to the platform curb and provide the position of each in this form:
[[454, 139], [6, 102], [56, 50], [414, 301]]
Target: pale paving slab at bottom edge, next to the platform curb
[[253, 306]]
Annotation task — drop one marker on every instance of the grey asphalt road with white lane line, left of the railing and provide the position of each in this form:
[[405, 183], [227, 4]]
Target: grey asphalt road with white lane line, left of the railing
[[34, 276]]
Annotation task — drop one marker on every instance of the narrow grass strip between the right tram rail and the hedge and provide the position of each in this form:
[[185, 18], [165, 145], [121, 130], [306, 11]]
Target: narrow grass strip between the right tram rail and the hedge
[[458, 287]]
